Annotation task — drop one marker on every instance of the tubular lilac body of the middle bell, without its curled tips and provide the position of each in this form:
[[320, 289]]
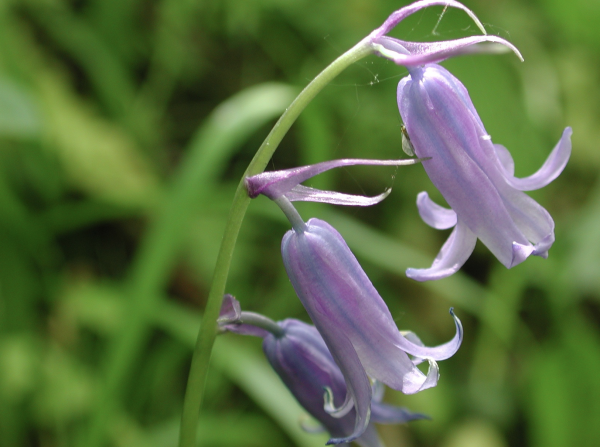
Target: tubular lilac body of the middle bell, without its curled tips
[[343, 304]]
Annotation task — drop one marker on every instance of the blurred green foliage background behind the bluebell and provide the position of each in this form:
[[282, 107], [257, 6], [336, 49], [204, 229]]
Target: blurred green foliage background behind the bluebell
[[125, 126]]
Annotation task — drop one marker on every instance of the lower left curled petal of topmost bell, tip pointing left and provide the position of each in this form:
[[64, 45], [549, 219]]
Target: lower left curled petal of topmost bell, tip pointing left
[[454, 253]]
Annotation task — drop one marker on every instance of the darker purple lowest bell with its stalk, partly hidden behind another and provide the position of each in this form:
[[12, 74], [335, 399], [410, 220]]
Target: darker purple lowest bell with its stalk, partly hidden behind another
[[298, 354]]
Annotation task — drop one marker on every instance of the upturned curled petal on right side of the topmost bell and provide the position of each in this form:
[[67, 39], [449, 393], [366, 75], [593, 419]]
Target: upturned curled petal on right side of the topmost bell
[[552, 167]]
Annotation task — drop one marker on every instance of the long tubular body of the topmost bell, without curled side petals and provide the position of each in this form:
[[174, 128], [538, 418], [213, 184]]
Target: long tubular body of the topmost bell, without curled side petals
[[443, 125]]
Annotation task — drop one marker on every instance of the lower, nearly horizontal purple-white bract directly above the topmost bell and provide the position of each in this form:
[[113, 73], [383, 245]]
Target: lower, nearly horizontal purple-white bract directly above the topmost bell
[[418, 53]]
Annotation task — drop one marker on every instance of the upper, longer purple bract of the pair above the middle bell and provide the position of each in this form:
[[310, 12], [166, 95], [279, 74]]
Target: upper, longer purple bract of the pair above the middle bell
[[275, 184]]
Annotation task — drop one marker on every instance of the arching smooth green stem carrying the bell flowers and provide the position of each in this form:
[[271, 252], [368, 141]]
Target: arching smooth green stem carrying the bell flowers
[[208, 330]]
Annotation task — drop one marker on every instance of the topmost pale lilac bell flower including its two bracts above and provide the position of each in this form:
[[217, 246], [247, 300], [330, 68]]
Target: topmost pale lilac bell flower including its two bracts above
[[475, 176]]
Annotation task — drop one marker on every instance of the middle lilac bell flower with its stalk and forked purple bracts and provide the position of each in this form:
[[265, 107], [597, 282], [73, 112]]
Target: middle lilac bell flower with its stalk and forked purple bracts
[[346, 309]]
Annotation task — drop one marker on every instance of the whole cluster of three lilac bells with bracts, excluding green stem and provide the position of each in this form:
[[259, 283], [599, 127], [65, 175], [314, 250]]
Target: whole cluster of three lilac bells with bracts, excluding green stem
[[354, 346]]
